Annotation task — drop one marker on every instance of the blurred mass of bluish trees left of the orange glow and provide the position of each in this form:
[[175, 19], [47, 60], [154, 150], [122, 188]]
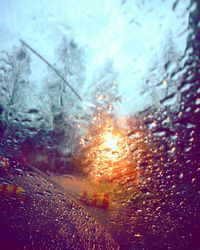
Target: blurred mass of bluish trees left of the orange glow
[[42, 128]]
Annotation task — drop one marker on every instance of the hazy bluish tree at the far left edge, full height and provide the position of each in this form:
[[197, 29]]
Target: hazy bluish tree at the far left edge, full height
[[14, 84]]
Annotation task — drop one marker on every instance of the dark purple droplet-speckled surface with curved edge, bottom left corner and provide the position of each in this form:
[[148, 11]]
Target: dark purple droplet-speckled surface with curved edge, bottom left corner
[[48, 218]]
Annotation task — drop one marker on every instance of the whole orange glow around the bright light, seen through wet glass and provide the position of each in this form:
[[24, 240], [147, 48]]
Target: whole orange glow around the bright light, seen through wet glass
[[105, 152]]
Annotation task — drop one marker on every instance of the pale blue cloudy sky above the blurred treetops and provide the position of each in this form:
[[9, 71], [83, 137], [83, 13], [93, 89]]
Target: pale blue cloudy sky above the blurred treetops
[[132, 34]]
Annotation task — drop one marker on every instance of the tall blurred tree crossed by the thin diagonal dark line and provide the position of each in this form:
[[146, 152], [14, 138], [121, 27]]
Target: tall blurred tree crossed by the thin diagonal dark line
[[64, 104]]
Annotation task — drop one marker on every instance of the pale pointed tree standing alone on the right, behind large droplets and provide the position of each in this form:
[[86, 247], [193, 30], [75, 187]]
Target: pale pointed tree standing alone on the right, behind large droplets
[[163, 80]]
